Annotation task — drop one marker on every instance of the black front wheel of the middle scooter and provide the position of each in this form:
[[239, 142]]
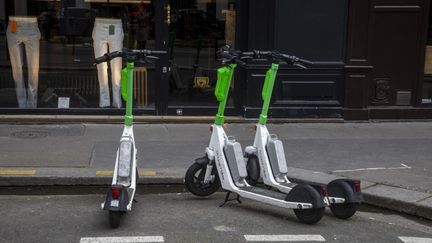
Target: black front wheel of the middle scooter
[[193, 181]]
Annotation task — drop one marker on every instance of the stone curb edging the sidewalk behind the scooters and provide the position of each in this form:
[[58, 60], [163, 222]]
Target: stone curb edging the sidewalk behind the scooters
[[389, 197]]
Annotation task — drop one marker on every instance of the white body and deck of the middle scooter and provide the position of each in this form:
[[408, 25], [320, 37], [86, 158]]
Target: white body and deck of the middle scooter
[[232, 173]]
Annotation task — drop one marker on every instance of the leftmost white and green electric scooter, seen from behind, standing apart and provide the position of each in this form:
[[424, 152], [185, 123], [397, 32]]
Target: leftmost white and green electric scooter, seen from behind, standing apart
[[120, 197]]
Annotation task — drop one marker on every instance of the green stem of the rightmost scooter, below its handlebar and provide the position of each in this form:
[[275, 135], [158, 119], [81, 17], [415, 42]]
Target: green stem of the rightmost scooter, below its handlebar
[[267, 91]]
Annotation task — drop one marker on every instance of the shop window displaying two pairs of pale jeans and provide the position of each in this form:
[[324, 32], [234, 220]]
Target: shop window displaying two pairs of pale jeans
[[47, 49]]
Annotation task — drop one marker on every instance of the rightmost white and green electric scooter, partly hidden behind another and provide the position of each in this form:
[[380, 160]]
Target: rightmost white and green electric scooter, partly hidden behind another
[[266, 158]]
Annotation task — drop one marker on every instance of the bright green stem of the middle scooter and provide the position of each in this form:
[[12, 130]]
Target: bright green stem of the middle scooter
[[225, 75]]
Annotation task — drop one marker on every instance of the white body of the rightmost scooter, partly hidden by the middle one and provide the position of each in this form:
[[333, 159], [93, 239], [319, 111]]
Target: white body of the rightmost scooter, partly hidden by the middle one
[[273, 166]]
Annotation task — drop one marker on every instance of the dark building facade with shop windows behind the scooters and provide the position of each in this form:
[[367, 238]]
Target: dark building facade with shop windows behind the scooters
[[372, 57]]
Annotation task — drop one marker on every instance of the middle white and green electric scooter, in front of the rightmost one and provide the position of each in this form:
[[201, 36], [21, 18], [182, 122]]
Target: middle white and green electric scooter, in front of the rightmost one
[[224, 164]]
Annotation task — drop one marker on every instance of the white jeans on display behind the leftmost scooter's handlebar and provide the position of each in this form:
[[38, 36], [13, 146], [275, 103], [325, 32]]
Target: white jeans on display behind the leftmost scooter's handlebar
[[108, 36]]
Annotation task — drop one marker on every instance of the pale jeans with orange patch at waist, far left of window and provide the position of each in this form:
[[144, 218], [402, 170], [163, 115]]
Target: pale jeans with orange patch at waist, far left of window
[[25, 33]]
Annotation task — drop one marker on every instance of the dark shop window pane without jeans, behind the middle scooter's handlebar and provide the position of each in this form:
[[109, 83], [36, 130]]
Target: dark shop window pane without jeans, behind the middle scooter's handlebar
[[196, 30]]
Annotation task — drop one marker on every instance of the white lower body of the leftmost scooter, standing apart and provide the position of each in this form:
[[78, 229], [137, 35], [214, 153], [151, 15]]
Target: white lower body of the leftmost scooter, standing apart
[[127, 168]]
